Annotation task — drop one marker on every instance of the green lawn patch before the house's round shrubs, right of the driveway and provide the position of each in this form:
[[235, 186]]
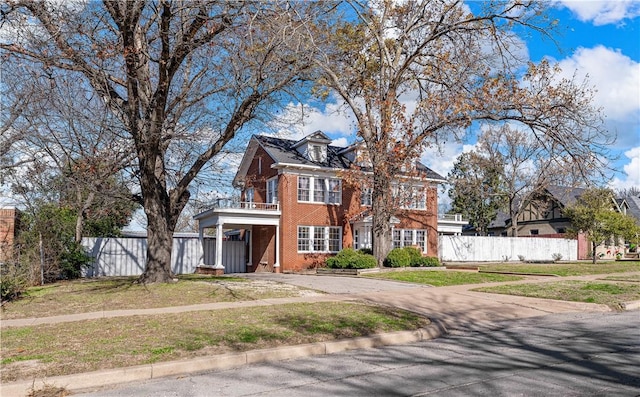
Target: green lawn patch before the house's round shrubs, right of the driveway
[[444, 278]]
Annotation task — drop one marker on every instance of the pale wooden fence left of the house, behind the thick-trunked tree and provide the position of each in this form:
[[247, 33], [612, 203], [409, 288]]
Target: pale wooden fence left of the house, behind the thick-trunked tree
[[125, 256]]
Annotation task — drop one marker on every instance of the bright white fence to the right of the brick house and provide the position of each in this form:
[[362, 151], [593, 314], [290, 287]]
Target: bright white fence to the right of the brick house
[[485, 249]]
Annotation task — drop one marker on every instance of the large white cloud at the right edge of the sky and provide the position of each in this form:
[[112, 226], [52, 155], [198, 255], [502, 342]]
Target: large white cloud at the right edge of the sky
[[617, 80]]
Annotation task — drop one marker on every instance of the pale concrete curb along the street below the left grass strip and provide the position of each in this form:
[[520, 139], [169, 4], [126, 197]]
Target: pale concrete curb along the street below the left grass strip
[[111, 377]]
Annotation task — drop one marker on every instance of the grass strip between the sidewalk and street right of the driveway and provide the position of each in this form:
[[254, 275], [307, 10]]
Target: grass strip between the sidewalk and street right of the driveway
[[608, 293]]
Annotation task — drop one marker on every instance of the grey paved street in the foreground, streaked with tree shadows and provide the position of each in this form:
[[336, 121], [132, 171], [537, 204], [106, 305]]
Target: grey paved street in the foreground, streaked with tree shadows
[[567, 354]]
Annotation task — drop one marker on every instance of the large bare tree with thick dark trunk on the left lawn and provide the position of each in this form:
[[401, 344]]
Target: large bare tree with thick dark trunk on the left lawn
[[183, 78]]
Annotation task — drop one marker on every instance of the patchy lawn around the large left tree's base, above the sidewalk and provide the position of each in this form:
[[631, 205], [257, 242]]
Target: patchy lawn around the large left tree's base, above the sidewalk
[[82, 296]]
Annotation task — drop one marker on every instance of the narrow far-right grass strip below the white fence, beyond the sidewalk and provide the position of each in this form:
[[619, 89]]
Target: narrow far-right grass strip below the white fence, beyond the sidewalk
[[564, 269]]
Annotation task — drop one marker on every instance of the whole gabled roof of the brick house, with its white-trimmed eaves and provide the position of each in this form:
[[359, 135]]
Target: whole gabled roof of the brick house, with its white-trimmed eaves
[[284, 153]]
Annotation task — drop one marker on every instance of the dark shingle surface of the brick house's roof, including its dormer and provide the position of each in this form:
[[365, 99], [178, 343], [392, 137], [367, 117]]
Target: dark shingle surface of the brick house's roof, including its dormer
[[283, 151]]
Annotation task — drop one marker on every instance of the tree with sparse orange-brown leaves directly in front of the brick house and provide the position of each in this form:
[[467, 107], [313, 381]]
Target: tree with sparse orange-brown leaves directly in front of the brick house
[[417, 73]]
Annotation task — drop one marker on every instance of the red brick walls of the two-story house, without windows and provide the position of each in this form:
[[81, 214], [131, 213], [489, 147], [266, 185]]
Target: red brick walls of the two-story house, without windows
[[262, 167]]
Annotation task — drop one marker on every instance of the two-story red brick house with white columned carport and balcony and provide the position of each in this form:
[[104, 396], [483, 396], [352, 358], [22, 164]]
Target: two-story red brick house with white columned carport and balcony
[[298, 204]]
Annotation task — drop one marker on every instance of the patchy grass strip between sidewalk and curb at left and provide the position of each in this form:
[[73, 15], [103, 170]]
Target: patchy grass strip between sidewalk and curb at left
[[59, 349]]
